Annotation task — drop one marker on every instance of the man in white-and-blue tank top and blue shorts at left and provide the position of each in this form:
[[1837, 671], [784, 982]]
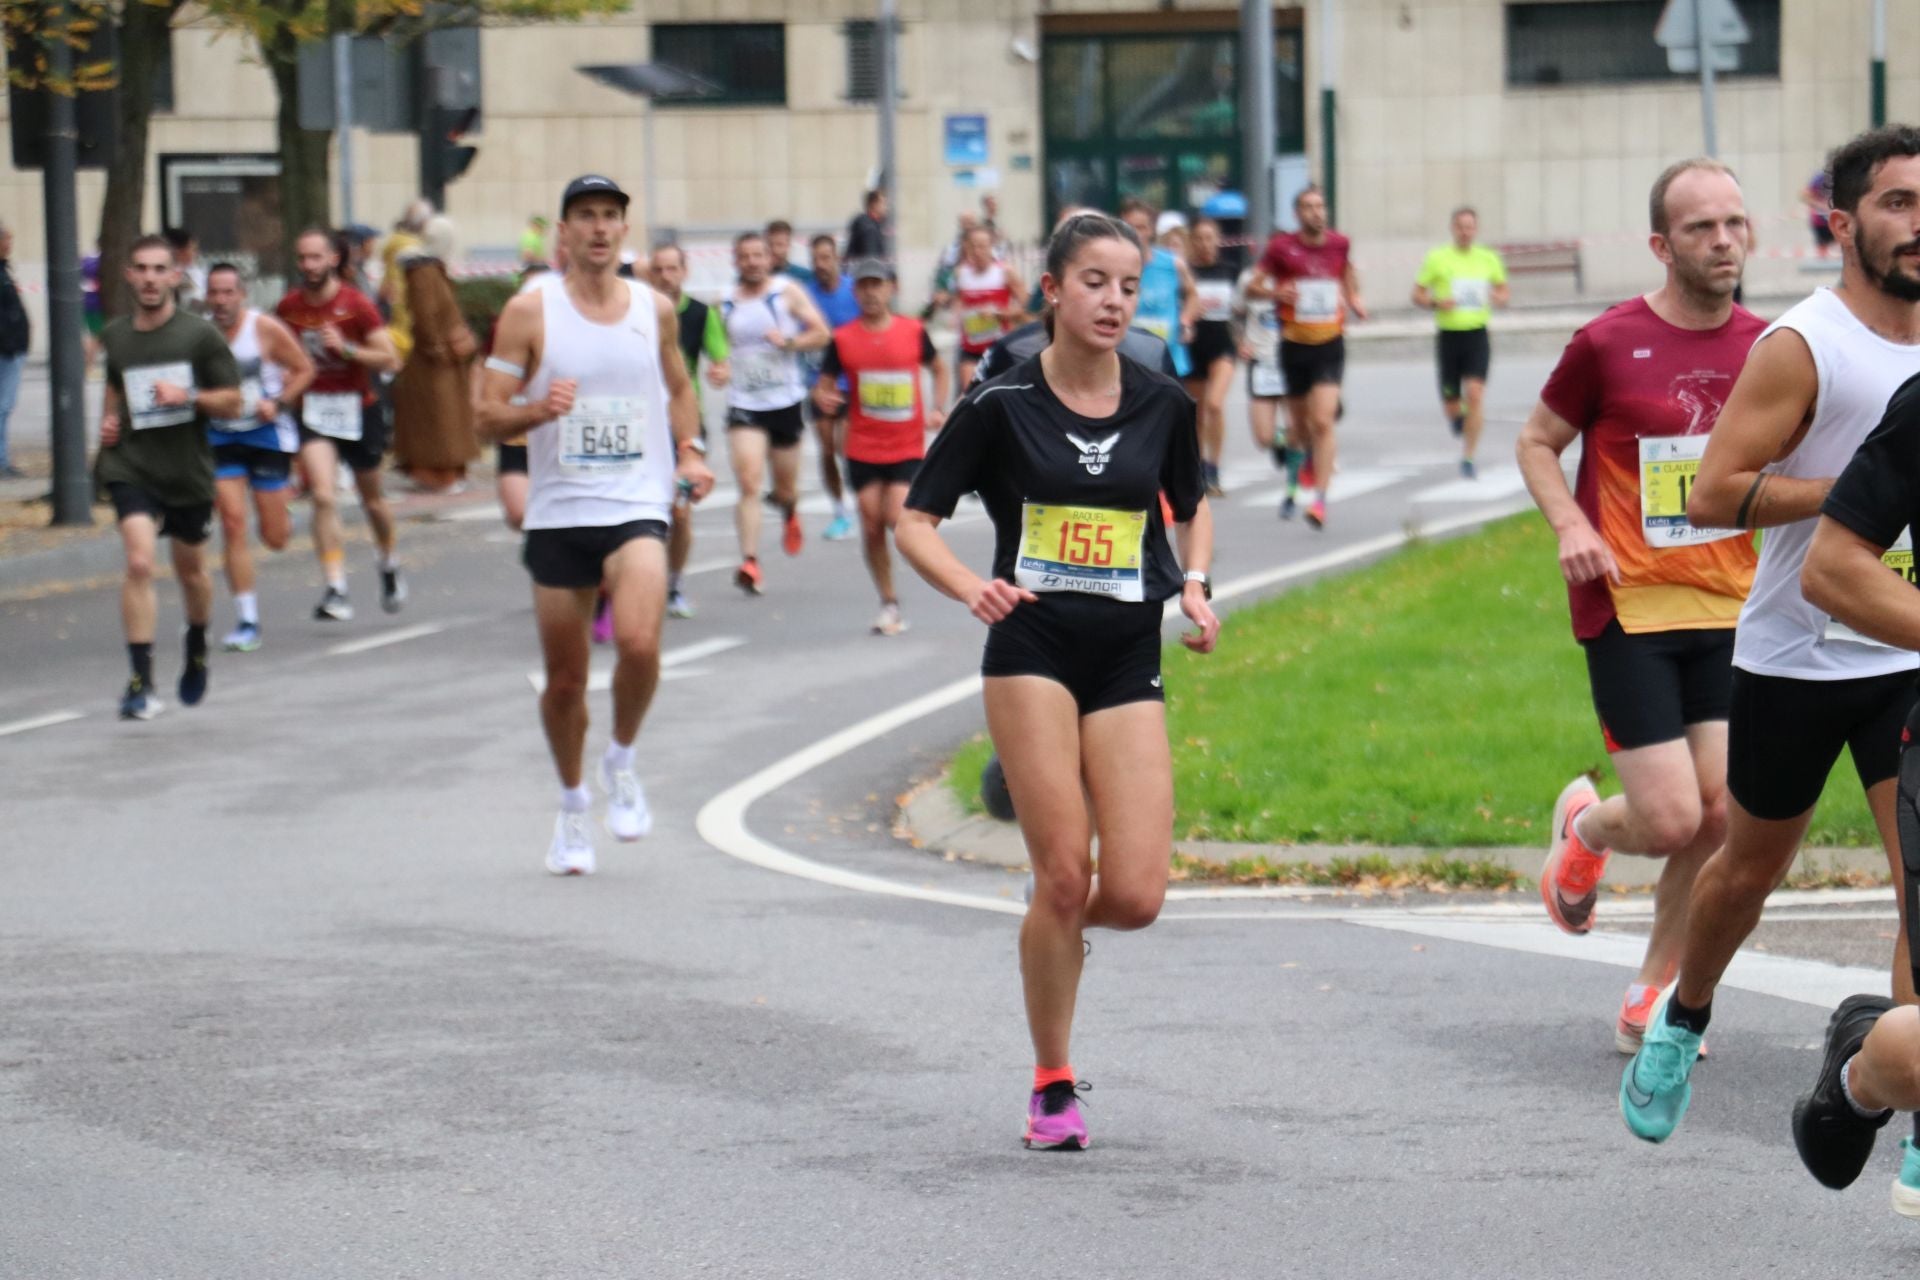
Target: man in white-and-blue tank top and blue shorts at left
[[254, 452]]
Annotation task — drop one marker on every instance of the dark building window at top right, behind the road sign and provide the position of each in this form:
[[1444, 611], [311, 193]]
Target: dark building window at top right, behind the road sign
[[1612, 41]]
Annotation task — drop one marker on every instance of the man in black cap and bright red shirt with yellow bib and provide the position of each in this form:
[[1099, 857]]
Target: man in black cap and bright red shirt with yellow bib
[[888, 417]]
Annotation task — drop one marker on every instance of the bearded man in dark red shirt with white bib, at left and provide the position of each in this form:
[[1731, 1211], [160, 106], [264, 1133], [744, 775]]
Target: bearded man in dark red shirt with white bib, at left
[[341, 417]]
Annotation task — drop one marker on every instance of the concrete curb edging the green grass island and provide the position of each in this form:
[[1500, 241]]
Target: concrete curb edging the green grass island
[[934, 820]]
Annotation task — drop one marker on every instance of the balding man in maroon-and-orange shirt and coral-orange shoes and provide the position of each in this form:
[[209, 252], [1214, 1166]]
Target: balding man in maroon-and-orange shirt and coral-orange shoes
[[1654, 600]]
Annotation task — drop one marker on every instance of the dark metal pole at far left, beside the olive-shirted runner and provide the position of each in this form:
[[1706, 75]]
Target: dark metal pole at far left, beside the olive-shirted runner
[[74, 490]]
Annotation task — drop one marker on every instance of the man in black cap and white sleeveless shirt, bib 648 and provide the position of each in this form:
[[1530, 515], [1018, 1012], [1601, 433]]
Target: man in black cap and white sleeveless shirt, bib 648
[[612, 429]]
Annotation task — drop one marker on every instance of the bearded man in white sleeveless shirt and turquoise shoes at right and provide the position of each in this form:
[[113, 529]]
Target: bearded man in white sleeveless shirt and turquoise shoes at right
[[1804, 686]]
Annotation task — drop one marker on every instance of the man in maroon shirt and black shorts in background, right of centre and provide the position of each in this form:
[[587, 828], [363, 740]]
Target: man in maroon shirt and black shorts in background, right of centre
[[1316, 285]]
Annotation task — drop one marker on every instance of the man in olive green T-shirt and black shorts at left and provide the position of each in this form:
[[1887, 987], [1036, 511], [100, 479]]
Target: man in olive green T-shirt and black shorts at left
[[168, 375]]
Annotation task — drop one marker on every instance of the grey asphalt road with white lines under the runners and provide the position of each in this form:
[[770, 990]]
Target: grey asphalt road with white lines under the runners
[[287, 991]]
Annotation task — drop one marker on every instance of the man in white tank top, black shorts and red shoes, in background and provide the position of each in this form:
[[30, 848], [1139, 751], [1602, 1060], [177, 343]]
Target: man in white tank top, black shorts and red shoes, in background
[[769, 323]]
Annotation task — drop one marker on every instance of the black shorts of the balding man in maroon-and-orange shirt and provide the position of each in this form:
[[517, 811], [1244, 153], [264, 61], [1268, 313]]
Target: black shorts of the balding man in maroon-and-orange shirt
[[1652, 686]]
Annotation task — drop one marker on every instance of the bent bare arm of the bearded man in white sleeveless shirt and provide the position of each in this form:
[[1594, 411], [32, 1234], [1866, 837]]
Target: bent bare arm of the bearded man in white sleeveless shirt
[[1765, 412]]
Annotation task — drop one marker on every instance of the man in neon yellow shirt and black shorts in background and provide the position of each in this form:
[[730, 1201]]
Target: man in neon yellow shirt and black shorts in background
[[1462, 283]]
